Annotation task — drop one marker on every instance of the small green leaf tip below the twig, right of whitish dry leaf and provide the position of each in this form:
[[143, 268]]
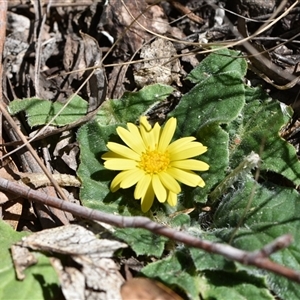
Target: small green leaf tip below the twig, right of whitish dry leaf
[[142, 241]]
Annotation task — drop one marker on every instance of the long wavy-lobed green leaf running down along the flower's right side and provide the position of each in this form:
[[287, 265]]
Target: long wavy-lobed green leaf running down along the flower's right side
[[217, 99]]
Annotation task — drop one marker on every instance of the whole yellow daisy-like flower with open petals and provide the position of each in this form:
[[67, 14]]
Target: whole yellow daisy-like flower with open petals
[[153, 163]]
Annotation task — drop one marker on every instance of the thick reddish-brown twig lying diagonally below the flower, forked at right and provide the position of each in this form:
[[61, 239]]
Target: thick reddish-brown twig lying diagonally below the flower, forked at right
[[256, 258]]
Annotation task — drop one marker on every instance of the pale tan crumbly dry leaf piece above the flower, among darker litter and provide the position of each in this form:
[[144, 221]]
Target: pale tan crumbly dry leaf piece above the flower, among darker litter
[[161, 68]]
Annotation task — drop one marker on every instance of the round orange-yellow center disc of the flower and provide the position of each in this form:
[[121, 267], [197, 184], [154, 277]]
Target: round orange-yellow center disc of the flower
[[154, 162]]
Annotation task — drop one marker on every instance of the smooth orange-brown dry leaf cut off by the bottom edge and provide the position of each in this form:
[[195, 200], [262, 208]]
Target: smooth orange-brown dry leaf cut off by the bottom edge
[[146, 289]]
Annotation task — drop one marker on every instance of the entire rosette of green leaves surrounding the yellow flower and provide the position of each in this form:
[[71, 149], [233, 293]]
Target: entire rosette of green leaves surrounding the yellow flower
[[232, 120]]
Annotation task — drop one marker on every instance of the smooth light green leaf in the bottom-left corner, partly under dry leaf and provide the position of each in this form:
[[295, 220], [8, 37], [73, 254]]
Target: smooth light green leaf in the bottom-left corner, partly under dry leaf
[[41, 281]]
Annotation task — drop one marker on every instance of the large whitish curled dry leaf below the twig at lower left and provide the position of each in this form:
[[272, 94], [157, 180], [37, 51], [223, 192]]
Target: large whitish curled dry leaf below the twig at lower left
[[89, 273]]
